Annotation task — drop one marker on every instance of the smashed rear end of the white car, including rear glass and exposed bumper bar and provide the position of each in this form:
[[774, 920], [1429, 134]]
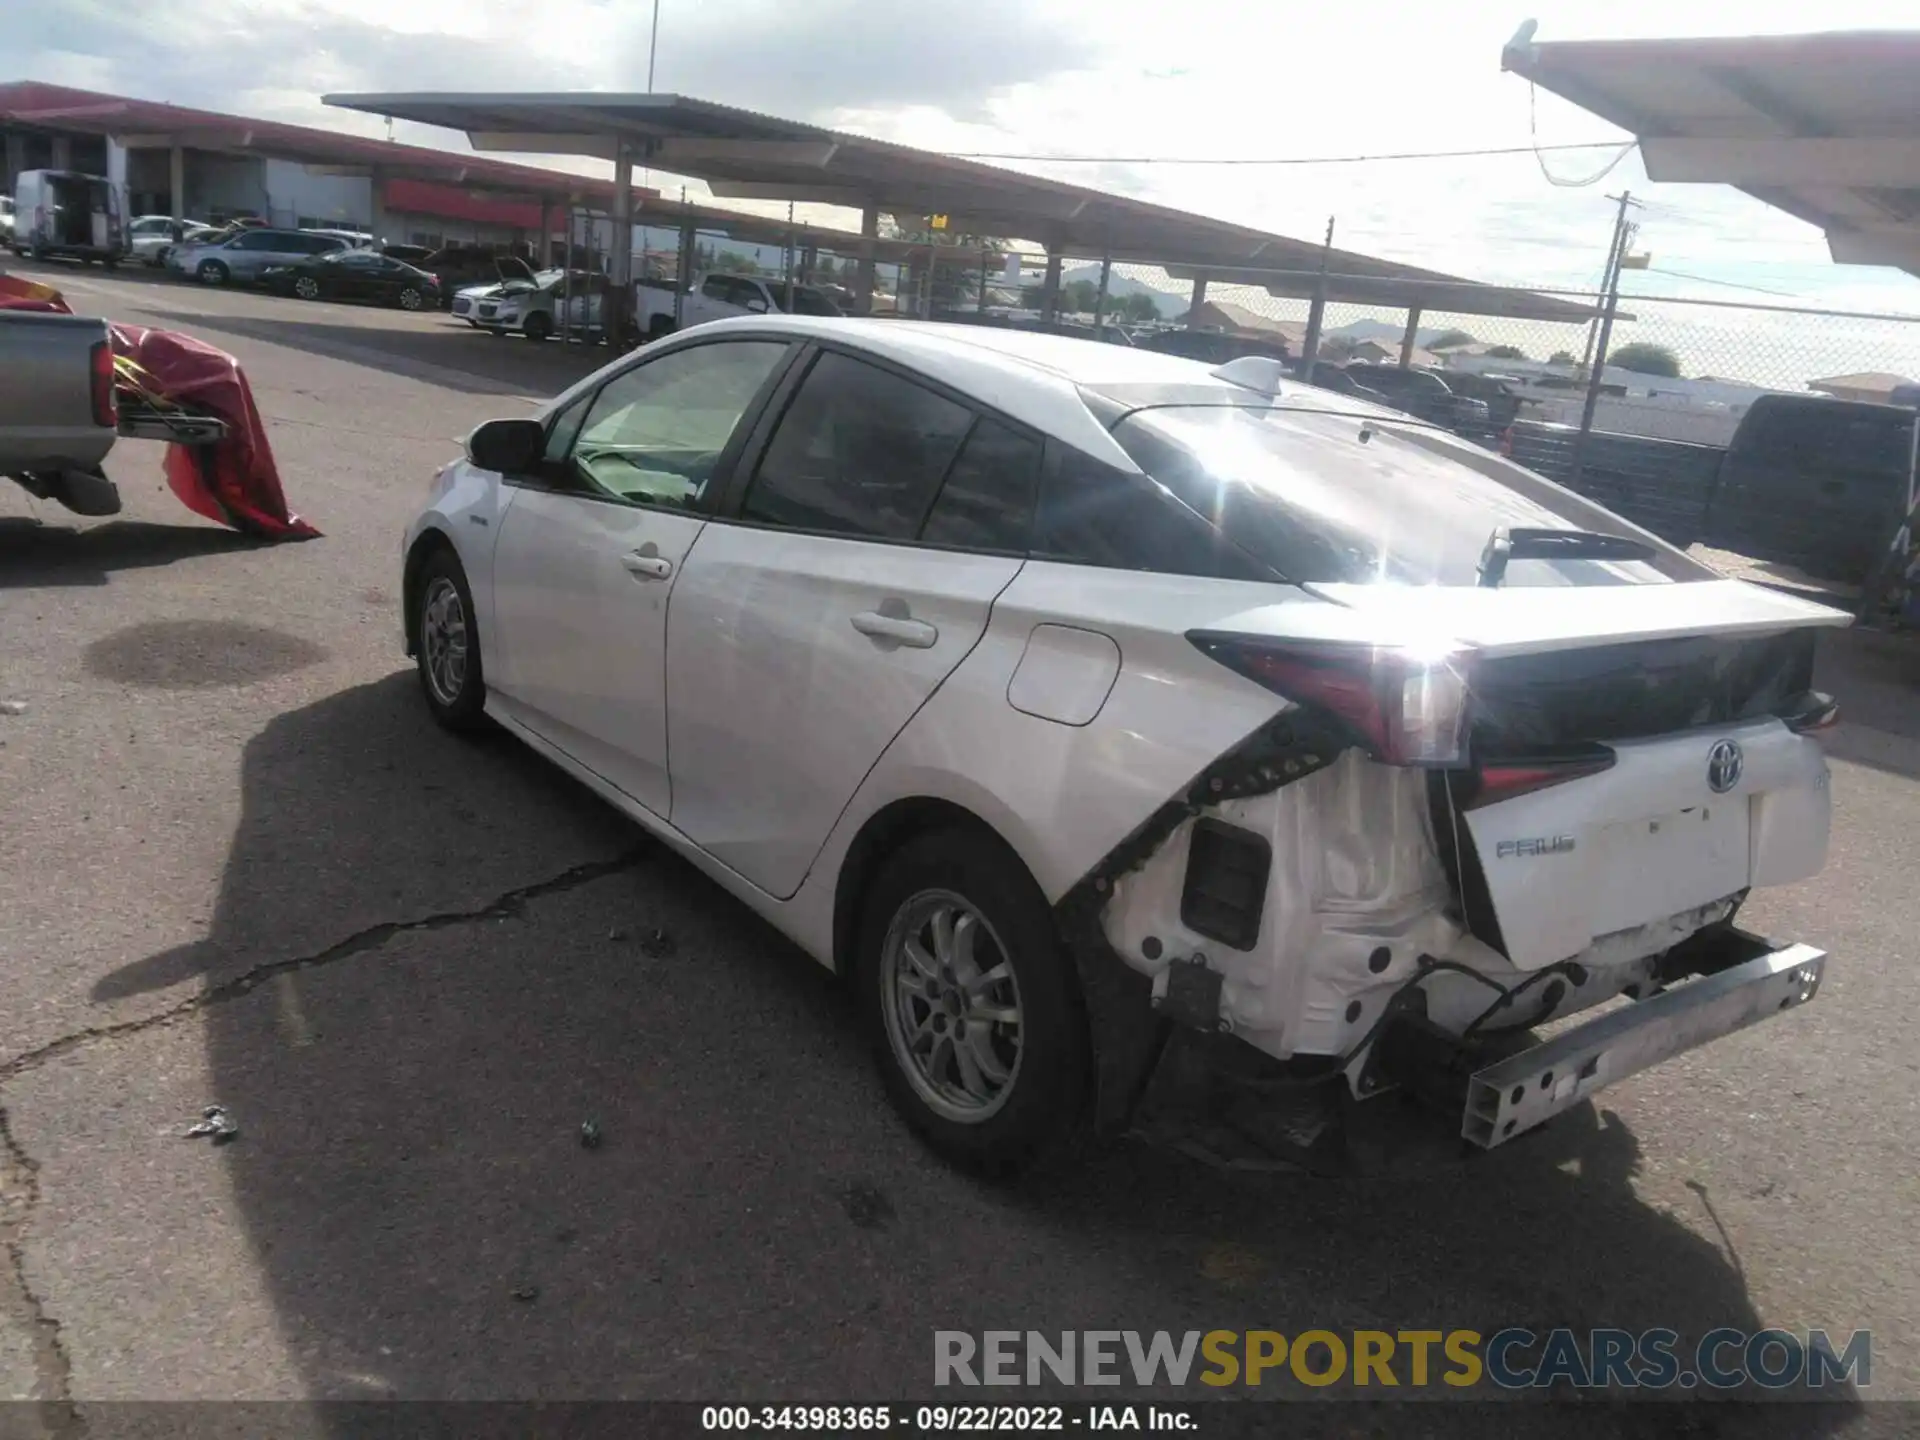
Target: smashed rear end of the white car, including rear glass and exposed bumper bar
[[1527, 765]]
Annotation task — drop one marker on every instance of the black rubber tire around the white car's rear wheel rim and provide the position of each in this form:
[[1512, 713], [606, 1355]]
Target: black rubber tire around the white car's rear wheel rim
[[1045, 1090]]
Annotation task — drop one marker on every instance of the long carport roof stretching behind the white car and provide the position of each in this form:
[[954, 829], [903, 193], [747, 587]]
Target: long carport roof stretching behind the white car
[[750, 156]]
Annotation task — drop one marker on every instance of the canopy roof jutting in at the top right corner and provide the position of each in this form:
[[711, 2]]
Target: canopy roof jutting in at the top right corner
[[1825, 128]]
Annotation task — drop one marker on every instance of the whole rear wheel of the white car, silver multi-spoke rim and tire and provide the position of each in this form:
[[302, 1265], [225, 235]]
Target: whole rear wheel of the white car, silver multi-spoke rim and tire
[[971, 1003]]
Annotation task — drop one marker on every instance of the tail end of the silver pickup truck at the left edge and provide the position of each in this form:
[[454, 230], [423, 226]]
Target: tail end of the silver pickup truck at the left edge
[[60, 410]]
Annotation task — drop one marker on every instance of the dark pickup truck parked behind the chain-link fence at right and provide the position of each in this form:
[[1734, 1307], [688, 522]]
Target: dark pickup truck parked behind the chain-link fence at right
[[1810, 481]]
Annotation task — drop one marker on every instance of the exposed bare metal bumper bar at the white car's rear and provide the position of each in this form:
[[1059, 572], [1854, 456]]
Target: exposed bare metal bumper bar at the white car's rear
[[1531, 1088]]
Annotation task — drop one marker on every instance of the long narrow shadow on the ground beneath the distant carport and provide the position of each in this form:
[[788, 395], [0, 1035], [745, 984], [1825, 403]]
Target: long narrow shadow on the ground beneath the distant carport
[[444, 352]]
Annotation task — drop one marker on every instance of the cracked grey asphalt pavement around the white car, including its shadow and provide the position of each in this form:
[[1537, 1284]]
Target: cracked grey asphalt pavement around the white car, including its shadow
[[239, 865]]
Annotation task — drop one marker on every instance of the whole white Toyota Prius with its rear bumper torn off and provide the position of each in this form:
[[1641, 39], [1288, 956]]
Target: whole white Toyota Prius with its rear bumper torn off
[[1093, 709]]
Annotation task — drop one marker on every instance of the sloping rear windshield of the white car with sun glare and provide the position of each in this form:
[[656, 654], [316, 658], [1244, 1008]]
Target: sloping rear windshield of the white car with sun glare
[[1305, 498]]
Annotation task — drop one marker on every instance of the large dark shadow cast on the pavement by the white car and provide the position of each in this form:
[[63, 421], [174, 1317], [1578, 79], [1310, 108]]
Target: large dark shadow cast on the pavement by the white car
[[757, 1226]]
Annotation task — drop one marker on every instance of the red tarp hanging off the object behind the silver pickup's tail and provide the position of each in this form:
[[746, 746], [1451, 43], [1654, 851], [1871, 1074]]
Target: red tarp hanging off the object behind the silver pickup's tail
[[235, 481]]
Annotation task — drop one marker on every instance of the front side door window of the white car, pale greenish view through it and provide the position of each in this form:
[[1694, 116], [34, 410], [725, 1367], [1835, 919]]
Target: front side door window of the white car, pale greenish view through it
[[656, 433]]
